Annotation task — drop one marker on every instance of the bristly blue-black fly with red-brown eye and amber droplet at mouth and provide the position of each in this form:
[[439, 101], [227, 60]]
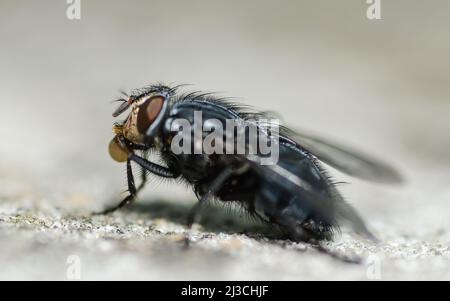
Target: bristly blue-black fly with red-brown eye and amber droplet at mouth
[[292, 192]]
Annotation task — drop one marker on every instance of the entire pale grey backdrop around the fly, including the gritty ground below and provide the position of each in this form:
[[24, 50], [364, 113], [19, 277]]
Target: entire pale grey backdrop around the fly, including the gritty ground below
[[381, 86]]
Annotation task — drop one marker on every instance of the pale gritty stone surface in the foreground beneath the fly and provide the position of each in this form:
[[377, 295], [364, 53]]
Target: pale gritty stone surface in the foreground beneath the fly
[[136, 244]]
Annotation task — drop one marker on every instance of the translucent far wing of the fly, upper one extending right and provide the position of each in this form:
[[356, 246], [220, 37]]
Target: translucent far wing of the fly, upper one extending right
[[345, 159]]
